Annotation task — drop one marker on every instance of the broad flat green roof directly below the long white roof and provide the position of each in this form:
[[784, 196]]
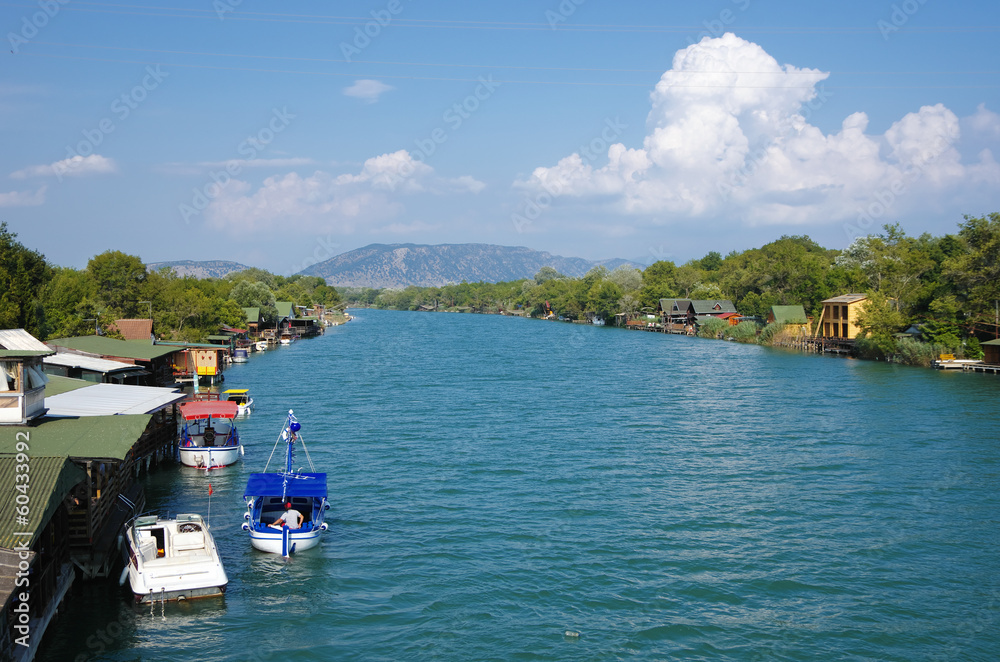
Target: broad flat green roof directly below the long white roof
[[87, 438]]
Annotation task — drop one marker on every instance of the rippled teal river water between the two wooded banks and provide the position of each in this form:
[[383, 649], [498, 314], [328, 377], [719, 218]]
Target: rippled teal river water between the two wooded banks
[[498, 484]]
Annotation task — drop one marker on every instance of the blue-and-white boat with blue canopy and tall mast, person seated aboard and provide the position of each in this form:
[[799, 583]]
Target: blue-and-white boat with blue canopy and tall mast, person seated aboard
[[270, 495]]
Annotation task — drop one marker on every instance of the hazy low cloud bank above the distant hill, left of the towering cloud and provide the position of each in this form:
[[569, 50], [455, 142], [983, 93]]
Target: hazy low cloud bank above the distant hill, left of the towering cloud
[[321, 200]]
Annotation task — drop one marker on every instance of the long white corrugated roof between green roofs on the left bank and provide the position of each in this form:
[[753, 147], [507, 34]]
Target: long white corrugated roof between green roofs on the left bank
[[111, 399]]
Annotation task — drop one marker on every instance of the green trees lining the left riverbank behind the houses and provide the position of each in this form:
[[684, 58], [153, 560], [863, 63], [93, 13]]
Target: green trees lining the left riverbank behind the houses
[[50, 301]]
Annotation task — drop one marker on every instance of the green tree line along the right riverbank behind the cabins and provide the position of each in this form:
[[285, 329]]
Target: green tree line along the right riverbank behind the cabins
[[948, 285]]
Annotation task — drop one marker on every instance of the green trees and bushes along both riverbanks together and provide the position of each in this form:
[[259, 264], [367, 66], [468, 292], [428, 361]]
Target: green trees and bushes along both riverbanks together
[[926, 295]]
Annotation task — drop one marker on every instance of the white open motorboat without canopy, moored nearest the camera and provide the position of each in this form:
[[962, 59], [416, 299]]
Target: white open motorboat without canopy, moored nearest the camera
[[171, 559]]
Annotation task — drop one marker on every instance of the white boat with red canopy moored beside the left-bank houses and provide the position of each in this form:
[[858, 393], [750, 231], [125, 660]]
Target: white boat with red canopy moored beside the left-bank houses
[[209, 438]]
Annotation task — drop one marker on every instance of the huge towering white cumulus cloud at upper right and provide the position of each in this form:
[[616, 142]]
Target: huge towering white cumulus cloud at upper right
[[728, 136]]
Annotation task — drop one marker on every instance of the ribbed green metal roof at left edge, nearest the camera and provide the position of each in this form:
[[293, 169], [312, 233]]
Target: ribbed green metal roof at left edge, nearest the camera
[[51, 480]]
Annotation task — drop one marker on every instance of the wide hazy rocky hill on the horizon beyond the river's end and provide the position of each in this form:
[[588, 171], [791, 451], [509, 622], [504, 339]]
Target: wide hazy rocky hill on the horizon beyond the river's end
[[401, 265]]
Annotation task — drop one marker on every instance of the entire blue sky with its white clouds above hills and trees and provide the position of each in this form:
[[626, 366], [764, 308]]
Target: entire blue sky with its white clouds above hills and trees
[[278, 135]]
